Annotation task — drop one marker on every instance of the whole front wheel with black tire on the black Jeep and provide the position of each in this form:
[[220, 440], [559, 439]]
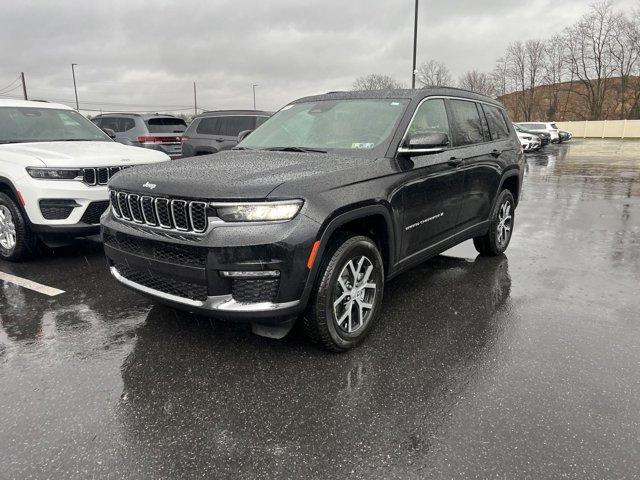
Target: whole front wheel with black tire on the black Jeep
[[319, 322]]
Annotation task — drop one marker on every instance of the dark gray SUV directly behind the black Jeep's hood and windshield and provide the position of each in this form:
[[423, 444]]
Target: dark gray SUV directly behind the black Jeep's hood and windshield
[[212, 132]]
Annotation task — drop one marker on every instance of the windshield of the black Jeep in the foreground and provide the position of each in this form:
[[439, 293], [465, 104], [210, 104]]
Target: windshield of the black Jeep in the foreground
[[361, 126]]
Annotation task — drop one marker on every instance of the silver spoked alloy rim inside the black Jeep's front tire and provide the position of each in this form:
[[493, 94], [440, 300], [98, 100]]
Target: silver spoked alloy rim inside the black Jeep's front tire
[[354, 295]]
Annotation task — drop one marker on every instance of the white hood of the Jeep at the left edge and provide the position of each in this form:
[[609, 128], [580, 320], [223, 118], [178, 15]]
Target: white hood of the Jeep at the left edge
[[81, 154]]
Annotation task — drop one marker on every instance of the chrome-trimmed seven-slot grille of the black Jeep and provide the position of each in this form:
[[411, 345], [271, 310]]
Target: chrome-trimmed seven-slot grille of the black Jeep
[[173, 214]]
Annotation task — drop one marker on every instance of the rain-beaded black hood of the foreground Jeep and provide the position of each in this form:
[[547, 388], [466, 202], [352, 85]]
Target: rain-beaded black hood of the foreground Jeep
[[238, 174]]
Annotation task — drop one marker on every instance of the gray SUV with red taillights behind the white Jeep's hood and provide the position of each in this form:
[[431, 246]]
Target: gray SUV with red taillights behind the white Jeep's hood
[[155, 131]]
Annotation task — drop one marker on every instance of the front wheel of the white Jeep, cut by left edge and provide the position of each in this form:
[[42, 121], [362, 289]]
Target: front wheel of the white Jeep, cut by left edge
[[17, 242]]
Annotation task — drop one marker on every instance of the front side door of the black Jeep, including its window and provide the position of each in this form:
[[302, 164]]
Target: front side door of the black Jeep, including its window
[[432, 189]]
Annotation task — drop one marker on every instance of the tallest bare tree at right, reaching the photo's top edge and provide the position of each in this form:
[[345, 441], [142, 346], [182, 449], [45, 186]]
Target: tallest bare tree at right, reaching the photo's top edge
[[589, 46]]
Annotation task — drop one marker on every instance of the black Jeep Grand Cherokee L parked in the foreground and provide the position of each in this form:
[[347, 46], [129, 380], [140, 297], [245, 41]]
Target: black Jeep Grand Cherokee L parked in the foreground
[[317, 208]]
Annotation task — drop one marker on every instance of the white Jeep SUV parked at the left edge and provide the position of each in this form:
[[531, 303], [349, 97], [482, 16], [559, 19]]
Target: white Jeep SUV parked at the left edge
[[54, 168]]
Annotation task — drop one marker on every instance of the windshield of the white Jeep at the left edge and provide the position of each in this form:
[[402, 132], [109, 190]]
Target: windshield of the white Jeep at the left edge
[[29, 124]]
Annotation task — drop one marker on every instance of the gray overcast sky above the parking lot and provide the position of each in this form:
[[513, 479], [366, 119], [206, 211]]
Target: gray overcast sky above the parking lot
[[135, 55]]
